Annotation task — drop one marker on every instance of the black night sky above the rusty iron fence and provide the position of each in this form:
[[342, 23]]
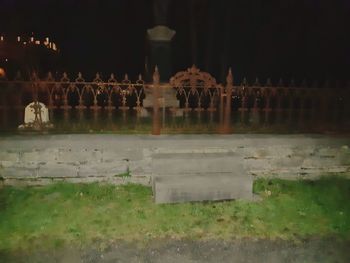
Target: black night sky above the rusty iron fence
[[288, 39]]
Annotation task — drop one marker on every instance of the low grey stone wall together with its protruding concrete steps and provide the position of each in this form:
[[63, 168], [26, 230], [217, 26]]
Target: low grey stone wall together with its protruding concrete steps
[[178, 163]]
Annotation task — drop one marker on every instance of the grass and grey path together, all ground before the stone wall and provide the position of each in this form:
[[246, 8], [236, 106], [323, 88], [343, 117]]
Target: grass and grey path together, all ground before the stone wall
[[88, 221]]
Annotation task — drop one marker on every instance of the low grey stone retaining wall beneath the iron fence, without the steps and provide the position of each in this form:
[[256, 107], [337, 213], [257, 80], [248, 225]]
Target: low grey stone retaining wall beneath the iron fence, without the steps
[[44, 159]]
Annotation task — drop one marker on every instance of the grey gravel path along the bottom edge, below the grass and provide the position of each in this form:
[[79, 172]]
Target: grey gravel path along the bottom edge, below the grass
[[168, 251]]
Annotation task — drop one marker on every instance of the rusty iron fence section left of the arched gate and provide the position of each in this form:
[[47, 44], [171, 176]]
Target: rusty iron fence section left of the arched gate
[[78, 93]]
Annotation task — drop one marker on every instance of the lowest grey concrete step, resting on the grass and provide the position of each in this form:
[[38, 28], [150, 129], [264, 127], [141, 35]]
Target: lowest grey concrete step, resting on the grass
[[202, 187]]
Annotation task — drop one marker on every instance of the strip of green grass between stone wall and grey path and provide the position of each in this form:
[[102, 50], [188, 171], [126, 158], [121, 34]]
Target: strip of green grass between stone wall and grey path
[[62, 214]]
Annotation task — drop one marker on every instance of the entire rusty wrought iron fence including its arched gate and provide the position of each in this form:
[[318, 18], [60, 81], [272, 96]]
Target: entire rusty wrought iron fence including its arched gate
[[187, 91]]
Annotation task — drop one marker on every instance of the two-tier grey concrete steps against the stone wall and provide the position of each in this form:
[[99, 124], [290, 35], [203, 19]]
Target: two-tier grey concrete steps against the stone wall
[[199, 175]]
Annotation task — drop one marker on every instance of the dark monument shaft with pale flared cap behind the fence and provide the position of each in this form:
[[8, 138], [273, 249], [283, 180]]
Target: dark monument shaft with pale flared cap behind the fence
[[159, 39]]
